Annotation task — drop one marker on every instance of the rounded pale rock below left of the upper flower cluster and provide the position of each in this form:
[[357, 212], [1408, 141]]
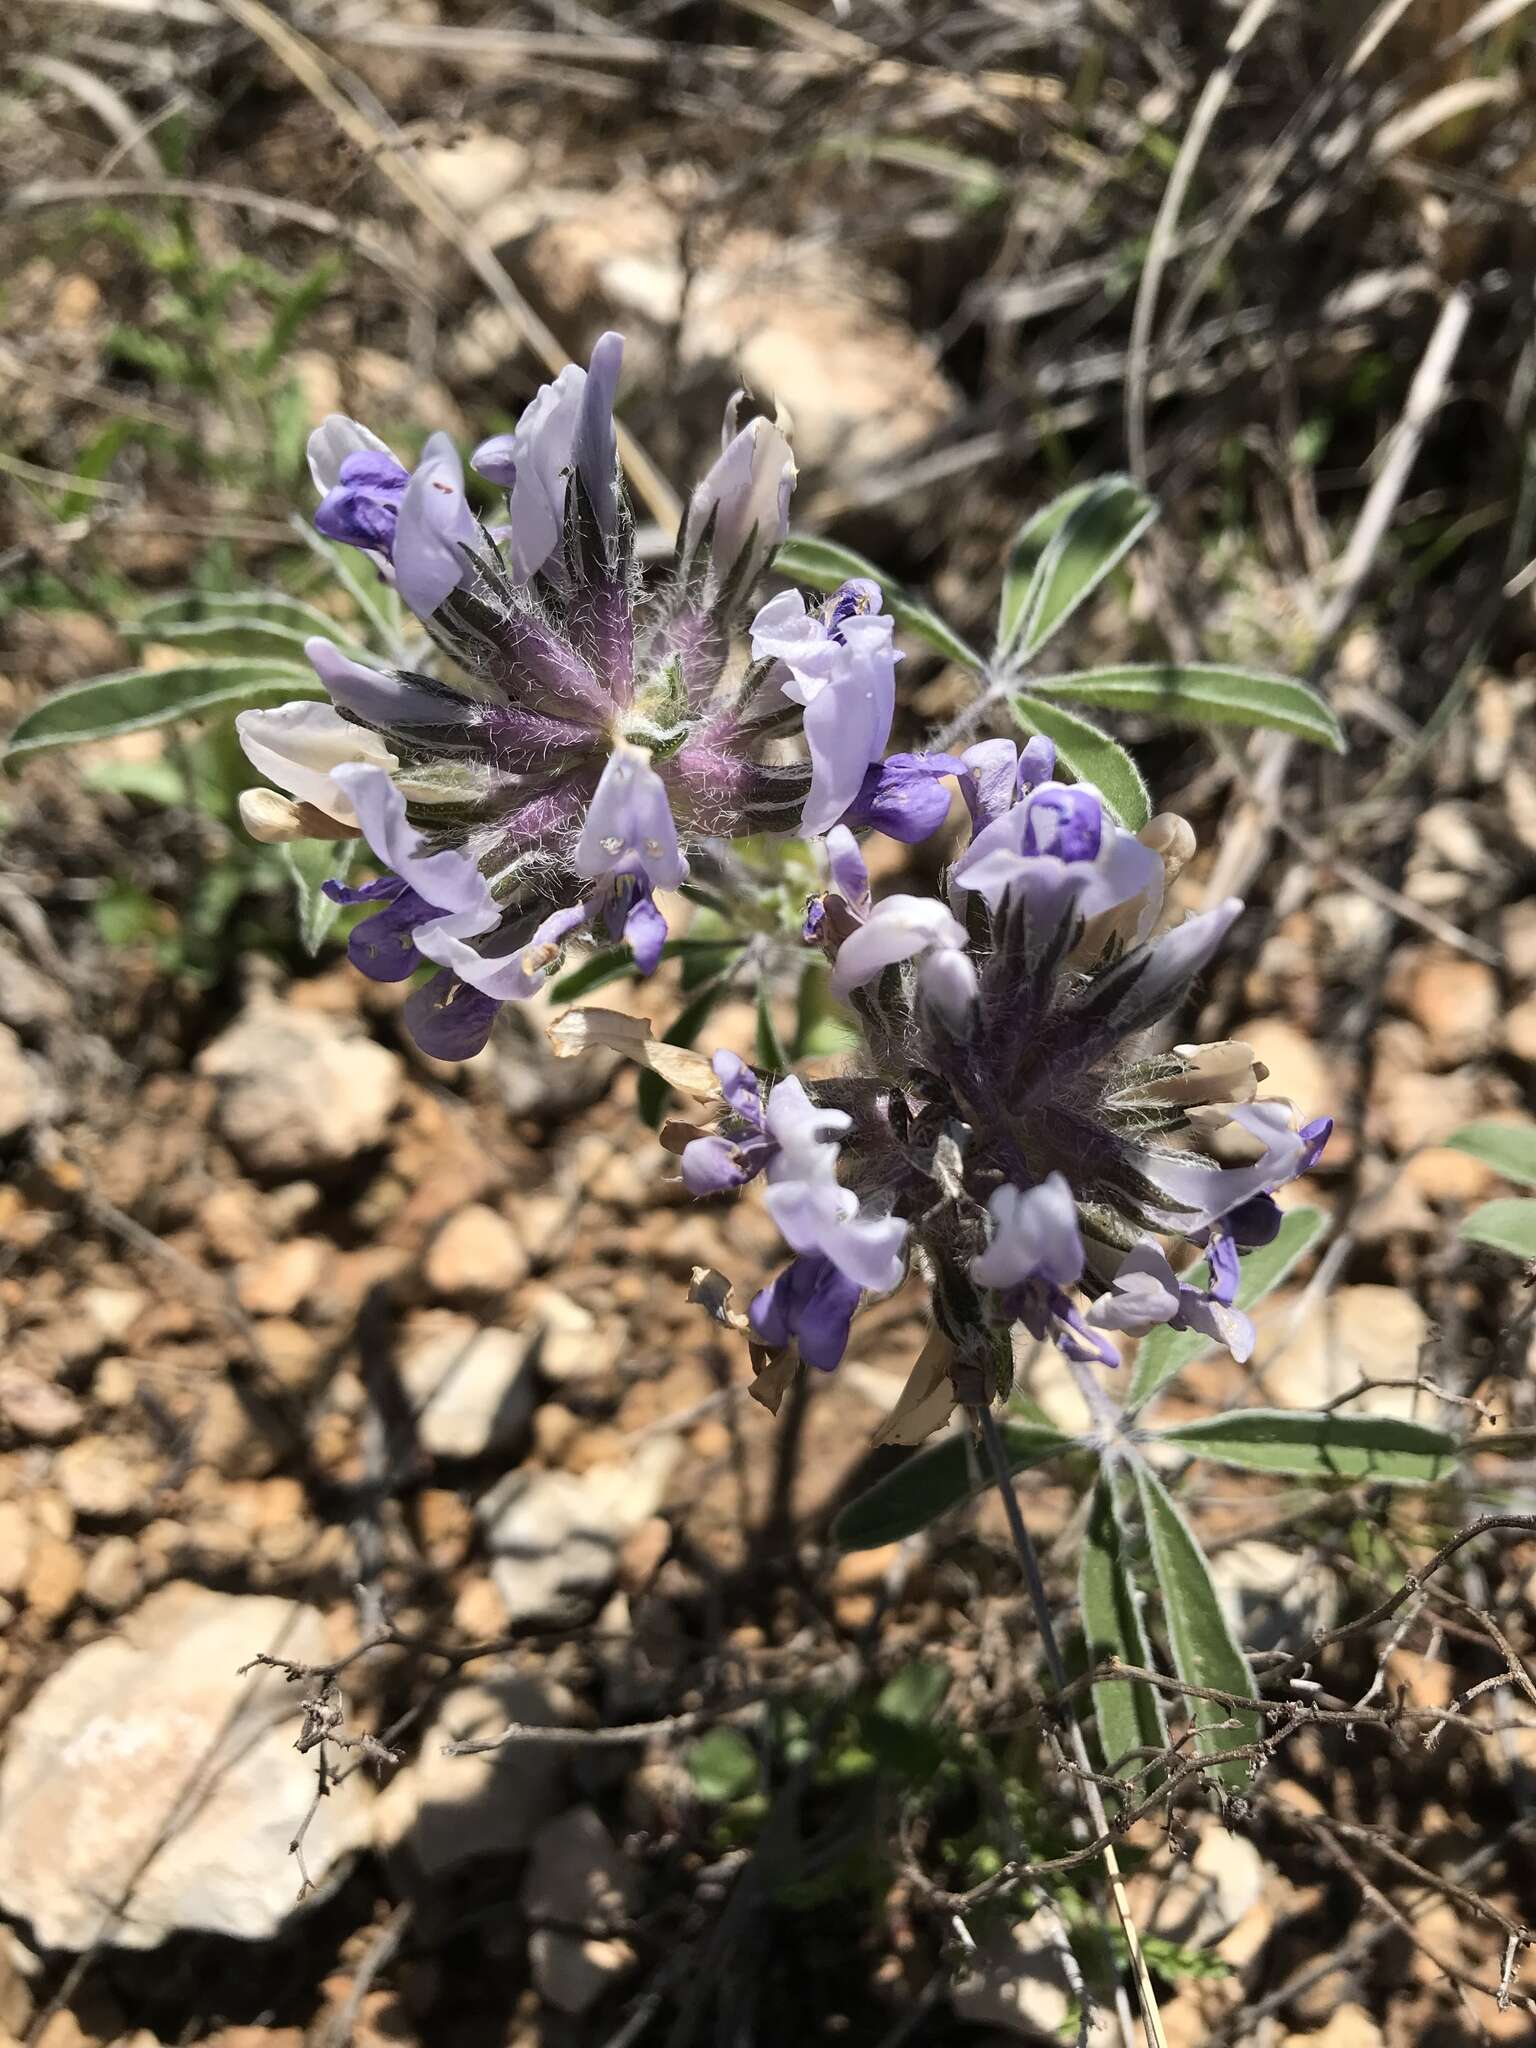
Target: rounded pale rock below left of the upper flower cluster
[[298, 1093]]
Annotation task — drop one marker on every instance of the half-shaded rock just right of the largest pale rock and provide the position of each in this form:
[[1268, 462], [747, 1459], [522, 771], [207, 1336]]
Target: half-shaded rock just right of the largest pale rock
[[450, 1811]]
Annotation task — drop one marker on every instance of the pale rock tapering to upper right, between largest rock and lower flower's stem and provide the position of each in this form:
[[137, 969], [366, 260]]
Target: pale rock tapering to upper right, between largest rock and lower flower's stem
[[554, 1537]]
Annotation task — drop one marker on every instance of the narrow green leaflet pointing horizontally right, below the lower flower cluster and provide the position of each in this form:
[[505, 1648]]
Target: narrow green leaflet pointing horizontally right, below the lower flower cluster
[[1322, 1447]]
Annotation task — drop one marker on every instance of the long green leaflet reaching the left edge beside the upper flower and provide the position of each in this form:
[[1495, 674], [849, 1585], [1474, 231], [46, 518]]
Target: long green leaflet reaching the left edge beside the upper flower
[[142, 697]]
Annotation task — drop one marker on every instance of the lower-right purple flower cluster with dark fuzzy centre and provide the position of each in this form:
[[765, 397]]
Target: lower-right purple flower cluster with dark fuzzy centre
[[1013, 1136]]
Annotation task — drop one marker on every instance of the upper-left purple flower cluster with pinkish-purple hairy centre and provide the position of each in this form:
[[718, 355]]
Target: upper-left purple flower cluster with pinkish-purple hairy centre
[[570, 742]]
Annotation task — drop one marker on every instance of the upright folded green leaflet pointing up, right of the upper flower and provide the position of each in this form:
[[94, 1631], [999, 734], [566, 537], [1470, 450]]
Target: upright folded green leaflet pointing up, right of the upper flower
[[1062, 556]]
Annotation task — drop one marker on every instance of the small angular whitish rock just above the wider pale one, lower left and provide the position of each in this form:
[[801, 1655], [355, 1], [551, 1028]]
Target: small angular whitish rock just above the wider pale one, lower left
[[472, 1390]]
